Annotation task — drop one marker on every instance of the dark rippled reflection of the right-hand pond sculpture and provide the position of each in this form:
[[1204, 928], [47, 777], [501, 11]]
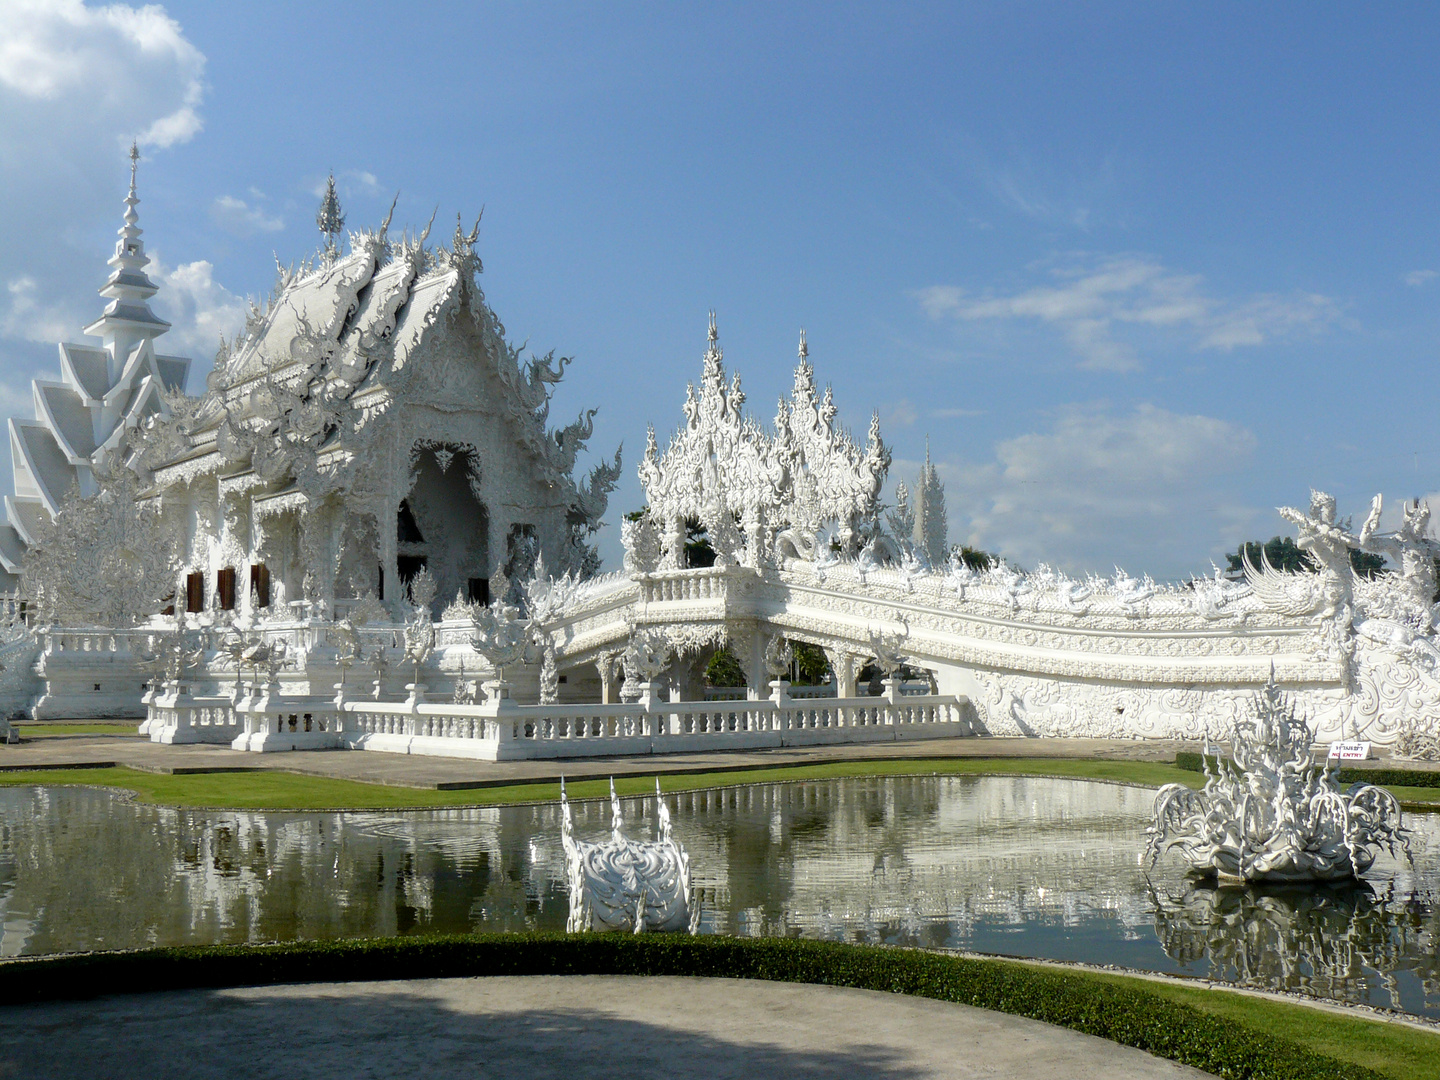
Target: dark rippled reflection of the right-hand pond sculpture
[[1327, 941]]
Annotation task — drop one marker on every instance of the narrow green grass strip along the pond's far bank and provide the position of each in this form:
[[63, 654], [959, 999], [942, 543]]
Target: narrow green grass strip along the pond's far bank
[[276, 790]]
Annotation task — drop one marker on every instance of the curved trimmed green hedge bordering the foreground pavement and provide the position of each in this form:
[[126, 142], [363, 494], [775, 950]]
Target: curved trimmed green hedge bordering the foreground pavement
[[1121, 1014]]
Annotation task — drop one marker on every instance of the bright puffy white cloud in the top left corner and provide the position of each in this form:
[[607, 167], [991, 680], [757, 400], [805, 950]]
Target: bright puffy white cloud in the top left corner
[[129, 70]]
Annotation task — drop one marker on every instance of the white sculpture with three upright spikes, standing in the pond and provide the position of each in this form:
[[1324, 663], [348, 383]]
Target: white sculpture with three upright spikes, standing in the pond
[[627, 885]]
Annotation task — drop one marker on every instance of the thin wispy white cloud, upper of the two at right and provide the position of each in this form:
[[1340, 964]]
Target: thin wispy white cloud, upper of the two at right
[[1107, 310]]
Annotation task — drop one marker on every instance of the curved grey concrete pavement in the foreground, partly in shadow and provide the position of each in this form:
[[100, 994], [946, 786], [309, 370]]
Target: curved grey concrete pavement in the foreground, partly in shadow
[[534, 1029]]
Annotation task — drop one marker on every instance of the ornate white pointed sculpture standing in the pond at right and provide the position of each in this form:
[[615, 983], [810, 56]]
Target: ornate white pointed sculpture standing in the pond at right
[[1275, 816]]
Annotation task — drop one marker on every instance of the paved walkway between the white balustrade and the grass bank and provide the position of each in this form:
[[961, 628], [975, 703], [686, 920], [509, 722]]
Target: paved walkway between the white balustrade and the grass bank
[[415, 771]]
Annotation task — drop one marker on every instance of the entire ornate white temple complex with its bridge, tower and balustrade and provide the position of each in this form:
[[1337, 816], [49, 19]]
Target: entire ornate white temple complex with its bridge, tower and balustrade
[[365, 535]]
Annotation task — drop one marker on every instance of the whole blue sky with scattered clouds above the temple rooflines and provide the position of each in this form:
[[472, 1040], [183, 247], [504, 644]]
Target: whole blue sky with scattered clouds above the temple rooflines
[[1140, 271]]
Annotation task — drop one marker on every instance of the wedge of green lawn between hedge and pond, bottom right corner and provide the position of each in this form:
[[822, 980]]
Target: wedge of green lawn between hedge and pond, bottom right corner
[[1392, 1049]]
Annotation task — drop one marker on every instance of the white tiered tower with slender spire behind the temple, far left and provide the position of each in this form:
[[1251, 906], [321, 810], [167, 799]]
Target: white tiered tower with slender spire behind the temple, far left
[[102, 394]]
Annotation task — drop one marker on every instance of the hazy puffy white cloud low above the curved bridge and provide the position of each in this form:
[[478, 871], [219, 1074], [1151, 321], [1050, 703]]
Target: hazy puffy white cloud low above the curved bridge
[[1099, 487]]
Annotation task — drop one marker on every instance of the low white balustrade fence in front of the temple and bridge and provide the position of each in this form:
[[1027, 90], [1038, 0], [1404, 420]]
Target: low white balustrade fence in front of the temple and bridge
[[500, 731]]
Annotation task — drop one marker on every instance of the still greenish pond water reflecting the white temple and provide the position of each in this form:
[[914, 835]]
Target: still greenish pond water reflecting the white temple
[[1020, 866]]
